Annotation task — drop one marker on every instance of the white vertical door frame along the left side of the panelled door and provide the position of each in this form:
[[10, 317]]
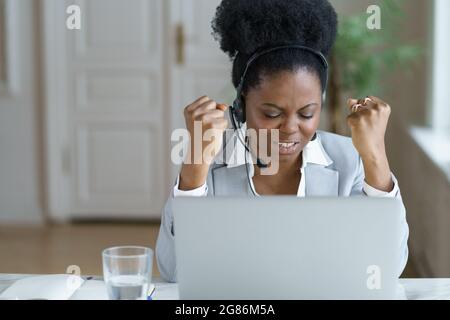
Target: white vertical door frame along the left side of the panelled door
[[55, 133]]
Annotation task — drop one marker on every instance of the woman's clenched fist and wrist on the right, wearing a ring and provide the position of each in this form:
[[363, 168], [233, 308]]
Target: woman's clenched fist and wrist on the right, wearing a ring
[[368, 122]]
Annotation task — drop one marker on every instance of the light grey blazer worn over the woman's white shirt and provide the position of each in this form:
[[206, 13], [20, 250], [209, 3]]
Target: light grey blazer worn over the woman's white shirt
[[343, 177]]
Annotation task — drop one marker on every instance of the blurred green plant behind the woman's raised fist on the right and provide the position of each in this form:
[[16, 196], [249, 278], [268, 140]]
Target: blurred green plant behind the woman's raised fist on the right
[[362, 57]]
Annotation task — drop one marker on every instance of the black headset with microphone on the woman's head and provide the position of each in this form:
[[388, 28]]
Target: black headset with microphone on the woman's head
[[237, 110]]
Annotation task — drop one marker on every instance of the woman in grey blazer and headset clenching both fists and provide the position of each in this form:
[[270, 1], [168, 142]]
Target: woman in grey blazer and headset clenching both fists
[[283, 89]]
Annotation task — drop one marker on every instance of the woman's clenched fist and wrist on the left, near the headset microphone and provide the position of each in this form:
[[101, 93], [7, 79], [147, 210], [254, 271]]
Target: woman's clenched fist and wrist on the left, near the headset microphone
[[206, 114]]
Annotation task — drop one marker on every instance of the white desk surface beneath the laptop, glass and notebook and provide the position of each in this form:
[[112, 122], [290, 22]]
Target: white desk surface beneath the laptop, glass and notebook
[[414, 289]]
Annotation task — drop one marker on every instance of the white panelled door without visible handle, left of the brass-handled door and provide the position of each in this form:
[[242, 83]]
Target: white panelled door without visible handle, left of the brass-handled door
[[105, 111]]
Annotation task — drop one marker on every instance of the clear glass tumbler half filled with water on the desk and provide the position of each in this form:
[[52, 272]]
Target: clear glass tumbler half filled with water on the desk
[[127, 272]]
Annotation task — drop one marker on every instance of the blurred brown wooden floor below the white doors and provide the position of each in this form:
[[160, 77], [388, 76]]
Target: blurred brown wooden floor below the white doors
[[54, 248]]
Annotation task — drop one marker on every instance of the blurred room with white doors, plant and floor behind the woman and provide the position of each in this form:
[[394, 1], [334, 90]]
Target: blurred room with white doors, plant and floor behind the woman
[[86, 118]]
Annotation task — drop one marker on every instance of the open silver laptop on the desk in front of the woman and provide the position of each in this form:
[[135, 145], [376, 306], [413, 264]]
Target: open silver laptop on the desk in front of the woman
[[270, 248]]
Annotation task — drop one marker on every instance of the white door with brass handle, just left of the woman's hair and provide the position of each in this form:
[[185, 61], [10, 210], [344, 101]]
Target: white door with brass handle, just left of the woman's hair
[[198, 66]]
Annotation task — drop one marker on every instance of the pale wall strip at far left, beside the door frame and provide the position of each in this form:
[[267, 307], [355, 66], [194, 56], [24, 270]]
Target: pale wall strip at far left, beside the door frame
[[21, 199]]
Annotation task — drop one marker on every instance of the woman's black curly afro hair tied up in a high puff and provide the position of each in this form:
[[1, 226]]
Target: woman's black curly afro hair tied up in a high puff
[[244, 27]]
